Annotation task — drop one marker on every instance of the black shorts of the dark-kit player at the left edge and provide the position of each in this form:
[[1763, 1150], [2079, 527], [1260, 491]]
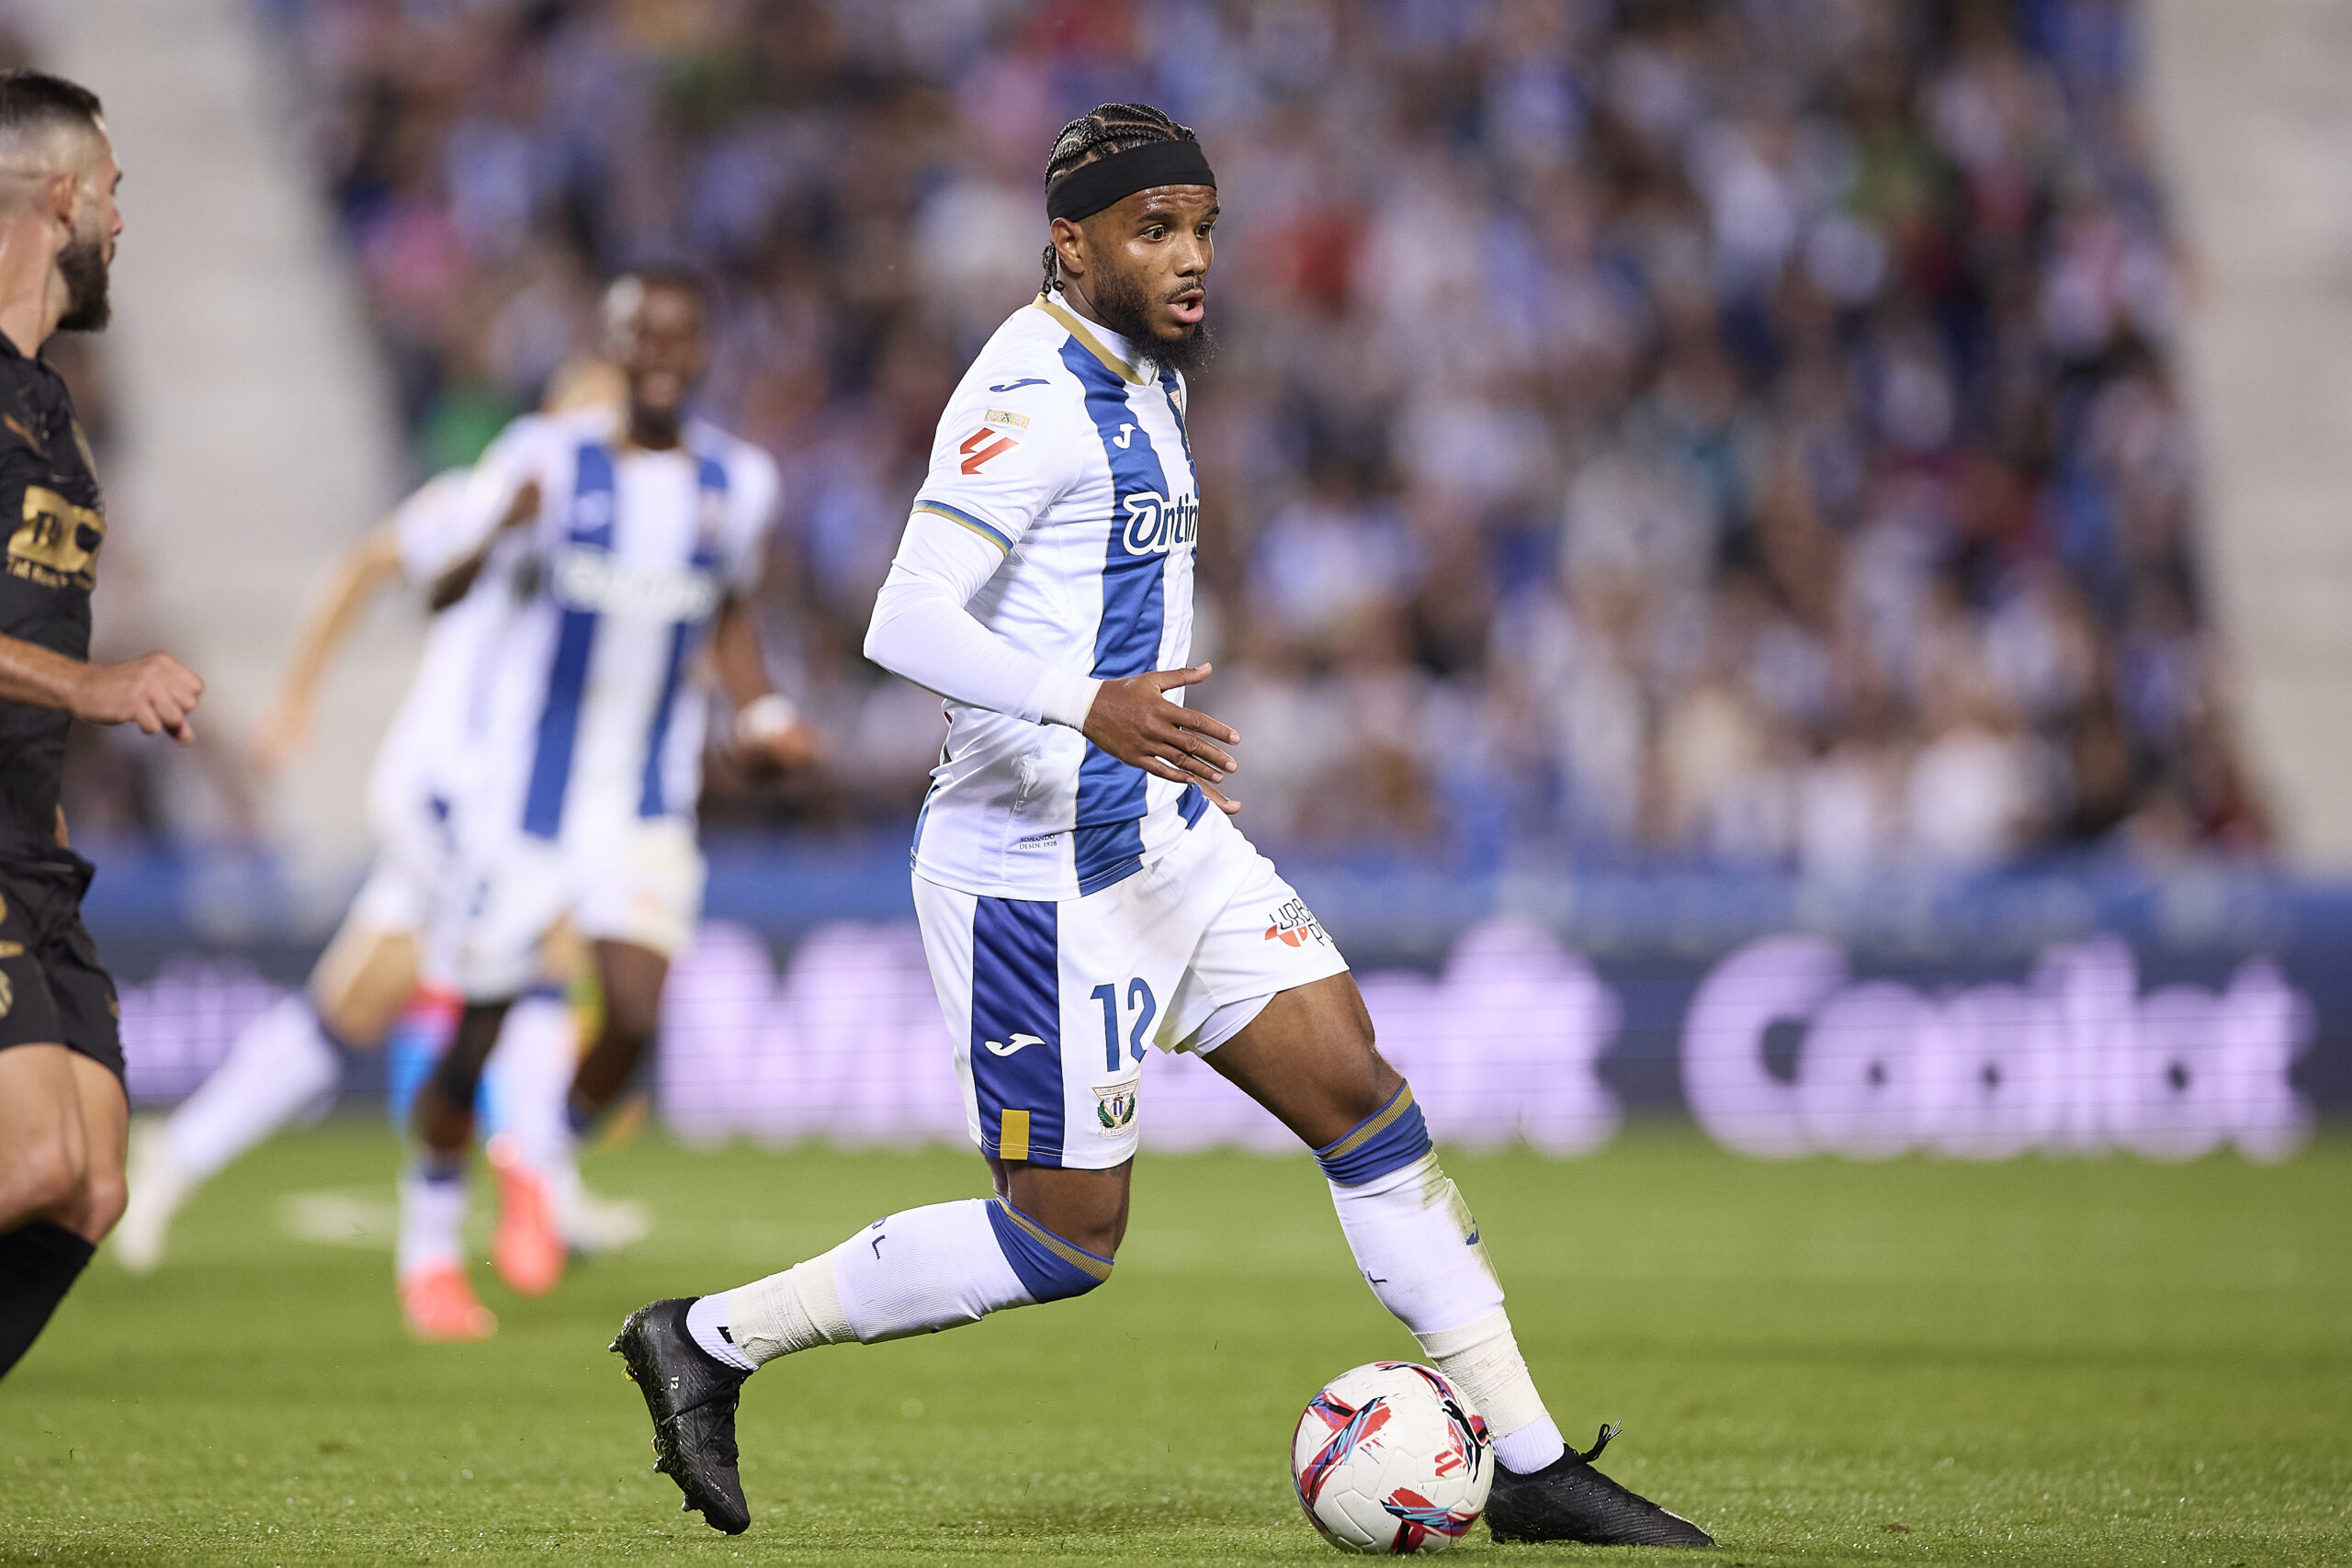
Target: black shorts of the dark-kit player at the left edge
[[53, 989]]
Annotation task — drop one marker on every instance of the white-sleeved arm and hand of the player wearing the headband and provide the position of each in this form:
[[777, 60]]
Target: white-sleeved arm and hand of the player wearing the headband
[[968, 521]]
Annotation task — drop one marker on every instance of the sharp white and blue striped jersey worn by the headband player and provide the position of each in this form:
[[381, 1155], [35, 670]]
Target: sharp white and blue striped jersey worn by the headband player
[[1071, 457]]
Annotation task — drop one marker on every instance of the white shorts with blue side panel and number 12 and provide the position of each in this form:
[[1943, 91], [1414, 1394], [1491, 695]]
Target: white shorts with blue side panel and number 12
[[1053, 1003]]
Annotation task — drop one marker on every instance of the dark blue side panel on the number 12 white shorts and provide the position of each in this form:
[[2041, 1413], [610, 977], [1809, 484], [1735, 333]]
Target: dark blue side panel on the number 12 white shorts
[[1017, 1021]]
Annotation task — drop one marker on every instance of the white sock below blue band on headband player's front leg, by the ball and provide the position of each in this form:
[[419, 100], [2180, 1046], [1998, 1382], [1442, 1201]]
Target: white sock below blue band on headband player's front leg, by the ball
[[1422, 1254]]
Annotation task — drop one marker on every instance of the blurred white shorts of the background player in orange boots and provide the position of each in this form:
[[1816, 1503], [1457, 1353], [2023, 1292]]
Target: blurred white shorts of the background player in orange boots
[[634, 883]]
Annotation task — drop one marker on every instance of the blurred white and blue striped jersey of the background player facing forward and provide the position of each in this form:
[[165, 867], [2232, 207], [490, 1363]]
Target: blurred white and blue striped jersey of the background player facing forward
[[582, 718]]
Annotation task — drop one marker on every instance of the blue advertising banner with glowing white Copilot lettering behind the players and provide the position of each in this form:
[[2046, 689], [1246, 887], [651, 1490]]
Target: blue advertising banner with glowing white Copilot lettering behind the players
[[1977, 1021]]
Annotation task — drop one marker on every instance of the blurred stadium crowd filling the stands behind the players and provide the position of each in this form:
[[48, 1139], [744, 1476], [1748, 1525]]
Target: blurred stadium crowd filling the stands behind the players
[[1666, 431]]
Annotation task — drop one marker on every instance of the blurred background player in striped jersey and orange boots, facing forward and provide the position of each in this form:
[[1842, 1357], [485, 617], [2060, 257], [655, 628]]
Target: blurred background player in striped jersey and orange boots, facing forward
[[629, 572]]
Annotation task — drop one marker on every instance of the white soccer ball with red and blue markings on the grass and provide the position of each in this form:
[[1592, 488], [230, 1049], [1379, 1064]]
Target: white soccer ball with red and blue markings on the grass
[[1391, 1459]]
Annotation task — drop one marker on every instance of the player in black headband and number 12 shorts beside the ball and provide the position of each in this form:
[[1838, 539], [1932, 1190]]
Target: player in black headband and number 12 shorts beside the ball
[[1083, 892]]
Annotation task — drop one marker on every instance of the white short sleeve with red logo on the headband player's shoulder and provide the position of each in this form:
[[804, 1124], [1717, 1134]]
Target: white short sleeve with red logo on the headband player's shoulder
[[996, 464]]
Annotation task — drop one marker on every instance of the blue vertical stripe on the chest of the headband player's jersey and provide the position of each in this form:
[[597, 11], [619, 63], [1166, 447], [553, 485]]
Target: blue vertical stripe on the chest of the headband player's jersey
[[1111, 793]]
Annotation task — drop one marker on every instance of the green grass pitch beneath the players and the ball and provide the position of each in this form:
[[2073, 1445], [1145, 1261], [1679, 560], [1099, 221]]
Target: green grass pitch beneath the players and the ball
[[2043, 1362]]
